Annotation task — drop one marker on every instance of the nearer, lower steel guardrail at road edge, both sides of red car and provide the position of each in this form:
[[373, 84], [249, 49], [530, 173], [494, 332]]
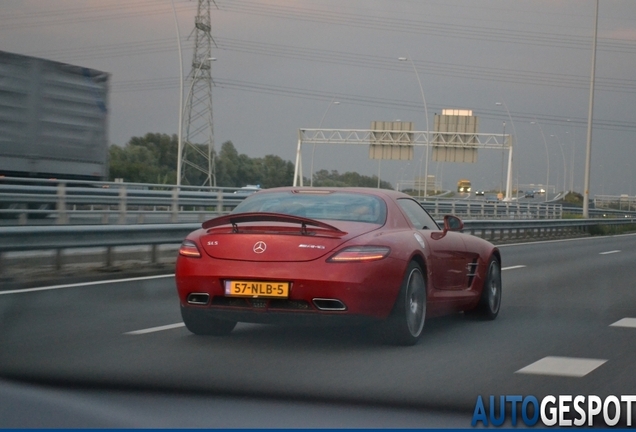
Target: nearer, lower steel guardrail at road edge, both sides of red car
[[60, 238]]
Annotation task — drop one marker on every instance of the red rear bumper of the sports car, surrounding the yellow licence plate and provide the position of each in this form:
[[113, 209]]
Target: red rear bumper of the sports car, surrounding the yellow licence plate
[[357, 289]]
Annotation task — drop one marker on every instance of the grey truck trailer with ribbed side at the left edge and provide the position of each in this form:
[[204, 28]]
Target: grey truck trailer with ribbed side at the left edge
[[53, 120]]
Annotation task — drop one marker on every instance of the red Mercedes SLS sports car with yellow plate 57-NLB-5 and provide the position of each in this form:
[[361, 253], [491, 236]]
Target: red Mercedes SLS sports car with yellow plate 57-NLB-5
[[334, 256]]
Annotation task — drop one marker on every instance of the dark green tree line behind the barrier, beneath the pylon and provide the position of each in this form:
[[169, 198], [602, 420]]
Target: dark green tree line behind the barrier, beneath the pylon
[[153, 159]]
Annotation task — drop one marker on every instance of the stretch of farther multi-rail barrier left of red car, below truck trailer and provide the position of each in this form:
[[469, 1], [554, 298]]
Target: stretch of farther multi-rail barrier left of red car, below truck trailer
[[103, 202]]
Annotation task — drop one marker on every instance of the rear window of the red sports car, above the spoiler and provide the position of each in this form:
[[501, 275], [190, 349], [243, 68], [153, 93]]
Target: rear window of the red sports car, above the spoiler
[[330, 206]]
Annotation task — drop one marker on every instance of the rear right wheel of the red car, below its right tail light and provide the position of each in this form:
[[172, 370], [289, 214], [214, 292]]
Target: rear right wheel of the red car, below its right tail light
[[406, 322]]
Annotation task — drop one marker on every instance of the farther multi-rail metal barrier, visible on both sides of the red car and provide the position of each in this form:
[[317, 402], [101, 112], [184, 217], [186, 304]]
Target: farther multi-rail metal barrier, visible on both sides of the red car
[[119, 203]]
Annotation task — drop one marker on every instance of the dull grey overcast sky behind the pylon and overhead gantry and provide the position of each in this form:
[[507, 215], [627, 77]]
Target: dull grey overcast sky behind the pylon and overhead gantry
[[281, 63]]
